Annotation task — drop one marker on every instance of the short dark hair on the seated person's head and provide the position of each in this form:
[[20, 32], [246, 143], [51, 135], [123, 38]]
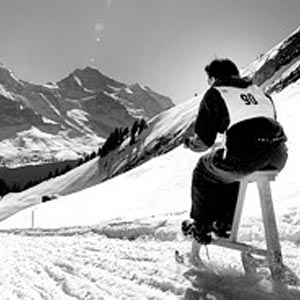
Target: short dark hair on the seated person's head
[[222, 69]]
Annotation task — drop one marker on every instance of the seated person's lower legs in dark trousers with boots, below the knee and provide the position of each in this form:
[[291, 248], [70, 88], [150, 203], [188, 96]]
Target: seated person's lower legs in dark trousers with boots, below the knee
[[214, 195]]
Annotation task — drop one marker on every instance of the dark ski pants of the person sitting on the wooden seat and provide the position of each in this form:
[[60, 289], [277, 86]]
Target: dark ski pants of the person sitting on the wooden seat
[[214, 183]]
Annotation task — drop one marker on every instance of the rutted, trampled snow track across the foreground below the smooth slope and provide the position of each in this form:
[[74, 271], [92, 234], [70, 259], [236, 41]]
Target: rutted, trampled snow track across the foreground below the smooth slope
[[125, 260]]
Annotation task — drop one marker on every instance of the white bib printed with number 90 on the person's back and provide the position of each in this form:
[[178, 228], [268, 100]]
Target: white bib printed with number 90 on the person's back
[[248, 103]]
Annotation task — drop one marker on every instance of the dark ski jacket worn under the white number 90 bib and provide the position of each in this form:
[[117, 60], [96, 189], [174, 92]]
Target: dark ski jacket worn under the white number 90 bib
[[213, 118]]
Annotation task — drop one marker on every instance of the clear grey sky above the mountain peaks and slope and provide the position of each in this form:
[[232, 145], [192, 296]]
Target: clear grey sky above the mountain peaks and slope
[[163, 44]]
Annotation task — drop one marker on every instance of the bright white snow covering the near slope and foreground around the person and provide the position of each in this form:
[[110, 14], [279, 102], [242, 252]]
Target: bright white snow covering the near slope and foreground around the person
[[116, 240]]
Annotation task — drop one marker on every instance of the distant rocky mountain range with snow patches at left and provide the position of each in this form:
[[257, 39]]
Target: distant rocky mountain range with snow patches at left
[[64, 119]]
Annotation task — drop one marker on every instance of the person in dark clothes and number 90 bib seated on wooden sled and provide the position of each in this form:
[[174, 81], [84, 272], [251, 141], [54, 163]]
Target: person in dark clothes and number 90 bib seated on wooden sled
[[253, 140]]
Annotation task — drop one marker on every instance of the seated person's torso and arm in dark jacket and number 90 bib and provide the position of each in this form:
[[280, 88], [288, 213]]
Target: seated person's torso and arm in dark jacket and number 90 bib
[[247, 117]]
